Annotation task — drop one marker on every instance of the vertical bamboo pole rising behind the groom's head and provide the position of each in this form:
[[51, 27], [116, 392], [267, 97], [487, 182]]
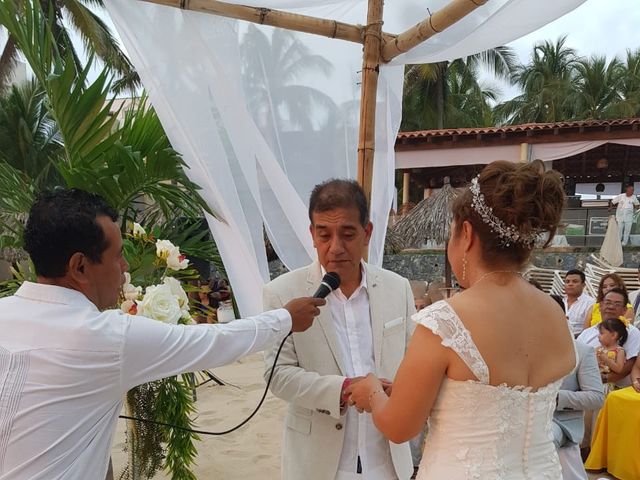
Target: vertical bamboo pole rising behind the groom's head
[[370, 68]]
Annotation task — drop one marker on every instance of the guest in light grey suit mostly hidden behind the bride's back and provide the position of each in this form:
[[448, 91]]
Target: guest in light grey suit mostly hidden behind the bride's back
[[580, 390]]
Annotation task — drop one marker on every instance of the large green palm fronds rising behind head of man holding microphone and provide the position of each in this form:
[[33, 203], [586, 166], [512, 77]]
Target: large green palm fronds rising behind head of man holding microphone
[[68, 134]]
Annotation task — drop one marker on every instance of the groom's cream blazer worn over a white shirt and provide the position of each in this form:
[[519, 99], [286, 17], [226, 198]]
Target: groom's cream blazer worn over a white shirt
[[310, 370]]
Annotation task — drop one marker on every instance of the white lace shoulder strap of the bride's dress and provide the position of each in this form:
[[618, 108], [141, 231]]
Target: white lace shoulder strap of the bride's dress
[[442, 320]]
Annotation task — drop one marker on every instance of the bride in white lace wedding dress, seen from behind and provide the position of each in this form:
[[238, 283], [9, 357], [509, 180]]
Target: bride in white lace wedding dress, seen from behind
[[485, 366]]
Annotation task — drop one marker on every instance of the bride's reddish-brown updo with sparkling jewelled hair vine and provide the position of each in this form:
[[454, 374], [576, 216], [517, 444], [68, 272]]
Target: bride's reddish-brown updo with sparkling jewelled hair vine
[[510, 207]]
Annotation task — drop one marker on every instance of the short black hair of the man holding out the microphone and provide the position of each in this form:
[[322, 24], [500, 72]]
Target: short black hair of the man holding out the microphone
[[63, 222]]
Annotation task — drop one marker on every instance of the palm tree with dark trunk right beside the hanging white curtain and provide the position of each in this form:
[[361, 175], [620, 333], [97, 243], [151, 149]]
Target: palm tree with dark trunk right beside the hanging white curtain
[[428, 89]]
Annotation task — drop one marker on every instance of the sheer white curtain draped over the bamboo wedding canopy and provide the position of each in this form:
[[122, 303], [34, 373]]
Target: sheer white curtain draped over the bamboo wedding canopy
[[261, 115]]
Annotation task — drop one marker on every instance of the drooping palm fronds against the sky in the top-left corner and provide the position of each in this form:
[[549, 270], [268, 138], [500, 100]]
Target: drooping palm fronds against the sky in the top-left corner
[[80, 16]]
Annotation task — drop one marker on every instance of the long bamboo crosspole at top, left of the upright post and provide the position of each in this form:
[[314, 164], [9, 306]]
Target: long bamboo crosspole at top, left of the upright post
[[274, 18]]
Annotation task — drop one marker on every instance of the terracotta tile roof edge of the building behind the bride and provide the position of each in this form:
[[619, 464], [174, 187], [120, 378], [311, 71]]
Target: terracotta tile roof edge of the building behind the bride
[[527, 127]]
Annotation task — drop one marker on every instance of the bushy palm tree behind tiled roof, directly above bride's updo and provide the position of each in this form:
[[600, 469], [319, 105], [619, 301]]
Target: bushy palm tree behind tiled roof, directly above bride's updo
[[547, 83]]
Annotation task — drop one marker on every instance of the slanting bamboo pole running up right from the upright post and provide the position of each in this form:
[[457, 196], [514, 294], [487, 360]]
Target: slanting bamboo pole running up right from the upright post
[[440, 20]]
